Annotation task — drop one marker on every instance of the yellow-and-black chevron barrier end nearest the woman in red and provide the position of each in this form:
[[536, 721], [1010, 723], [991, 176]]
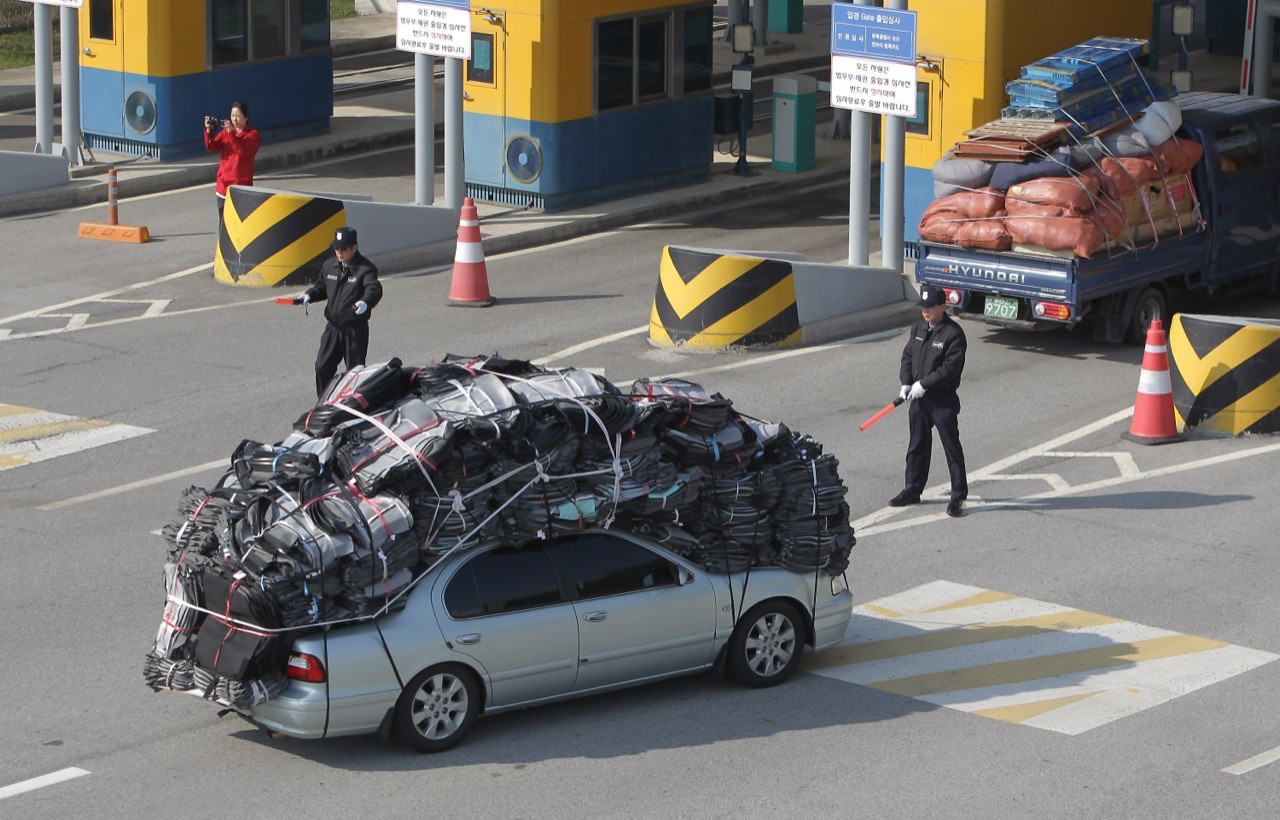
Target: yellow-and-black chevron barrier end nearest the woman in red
[[275, 239]]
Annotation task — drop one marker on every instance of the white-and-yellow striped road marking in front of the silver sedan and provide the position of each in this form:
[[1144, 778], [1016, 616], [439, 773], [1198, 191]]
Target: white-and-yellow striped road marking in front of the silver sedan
[[1022, 661]]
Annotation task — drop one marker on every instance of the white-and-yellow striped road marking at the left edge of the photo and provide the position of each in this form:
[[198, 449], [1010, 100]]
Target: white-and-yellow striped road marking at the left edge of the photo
[[30, 436]]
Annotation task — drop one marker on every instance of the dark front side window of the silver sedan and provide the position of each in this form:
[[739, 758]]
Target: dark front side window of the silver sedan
[[602, 565]]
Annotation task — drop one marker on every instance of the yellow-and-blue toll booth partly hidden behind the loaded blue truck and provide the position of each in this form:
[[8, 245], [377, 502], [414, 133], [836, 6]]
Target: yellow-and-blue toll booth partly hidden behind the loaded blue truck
[[970, 49]]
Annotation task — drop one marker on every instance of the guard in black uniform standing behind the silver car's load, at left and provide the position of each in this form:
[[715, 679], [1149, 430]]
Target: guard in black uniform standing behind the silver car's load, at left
[[349, 283]]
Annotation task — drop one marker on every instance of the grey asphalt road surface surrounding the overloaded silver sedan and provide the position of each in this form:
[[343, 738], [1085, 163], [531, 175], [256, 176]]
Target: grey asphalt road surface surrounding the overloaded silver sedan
[[1064, 514]]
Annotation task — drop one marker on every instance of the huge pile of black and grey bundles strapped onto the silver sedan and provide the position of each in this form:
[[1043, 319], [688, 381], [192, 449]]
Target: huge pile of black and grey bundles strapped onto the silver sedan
[[397, 468]]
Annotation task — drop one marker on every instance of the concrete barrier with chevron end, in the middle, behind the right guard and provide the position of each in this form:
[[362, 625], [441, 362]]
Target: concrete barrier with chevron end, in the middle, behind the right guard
[[714, 300]]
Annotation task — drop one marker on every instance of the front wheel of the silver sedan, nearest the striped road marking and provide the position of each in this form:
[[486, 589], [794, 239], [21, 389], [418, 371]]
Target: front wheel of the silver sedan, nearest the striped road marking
[[766, 645]]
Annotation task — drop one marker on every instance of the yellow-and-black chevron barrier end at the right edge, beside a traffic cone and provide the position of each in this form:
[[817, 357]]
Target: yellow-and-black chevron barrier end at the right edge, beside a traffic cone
[[1226, 373]]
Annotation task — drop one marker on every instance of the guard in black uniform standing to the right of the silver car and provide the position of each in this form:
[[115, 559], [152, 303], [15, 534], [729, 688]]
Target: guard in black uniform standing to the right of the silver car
[[931, 369]]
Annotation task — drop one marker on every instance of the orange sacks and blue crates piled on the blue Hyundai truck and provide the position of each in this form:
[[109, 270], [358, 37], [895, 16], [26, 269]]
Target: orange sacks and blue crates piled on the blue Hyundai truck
[[1084, 161]]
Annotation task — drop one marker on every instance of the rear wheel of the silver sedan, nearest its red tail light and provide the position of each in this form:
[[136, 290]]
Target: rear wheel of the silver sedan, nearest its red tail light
[[438, 708]]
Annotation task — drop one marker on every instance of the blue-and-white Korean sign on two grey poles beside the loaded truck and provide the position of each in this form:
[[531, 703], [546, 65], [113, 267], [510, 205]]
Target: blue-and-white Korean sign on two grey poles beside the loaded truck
[[874, 72]]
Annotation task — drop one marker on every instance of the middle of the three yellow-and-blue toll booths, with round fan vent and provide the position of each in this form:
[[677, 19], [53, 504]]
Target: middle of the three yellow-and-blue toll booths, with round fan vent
[[577, 102]]
